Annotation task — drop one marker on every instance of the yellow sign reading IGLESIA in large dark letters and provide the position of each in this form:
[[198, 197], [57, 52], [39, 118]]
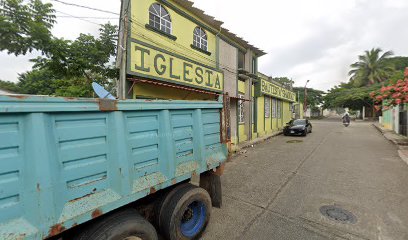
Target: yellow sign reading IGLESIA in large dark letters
[[159, 64]]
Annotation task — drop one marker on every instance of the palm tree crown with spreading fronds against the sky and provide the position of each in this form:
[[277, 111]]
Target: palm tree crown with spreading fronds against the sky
[[371, 68]]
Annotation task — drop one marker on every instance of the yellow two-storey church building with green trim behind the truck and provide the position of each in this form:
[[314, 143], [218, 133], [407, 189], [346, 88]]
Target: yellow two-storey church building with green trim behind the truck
[[175, 51]]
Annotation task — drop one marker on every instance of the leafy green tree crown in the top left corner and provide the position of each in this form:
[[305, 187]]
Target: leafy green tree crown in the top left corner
[[25, 26]]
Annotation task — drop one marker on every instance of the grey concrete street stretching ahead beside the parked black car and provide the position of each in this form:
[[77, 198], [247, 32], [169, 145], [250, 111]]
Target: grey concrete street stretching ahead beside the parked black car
[[275, 190]]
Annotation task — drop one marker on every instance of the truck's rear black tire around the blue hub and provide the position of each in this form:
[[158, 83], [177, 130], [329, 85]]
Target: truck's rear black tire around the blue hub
[[176, 209]]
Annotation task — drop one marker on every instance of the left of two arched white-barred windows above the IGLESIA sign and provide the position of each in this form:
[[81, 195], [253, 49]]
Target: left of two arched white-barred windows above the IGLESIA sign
[[159, 18]]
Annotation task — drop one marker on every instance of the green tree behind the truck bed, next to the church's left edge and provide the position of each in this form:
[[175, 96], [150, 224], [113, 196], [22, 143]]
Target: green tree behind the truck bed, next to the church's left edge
[[85, 59]]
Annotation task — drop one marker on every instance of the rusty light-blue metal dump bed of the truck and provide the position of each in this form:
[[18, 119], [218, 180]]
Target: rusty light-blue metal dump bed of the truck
[[67, 161]]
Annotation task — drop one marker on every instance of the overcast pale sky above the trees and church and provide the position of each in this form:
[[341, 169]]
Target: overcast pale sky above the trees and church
[[313, 39]]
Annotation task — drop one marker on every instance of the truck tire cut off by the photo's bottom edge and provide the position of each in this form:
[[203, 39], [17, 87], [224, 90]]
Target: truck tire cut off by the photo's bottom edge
[[119, 226]]
